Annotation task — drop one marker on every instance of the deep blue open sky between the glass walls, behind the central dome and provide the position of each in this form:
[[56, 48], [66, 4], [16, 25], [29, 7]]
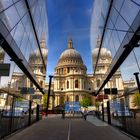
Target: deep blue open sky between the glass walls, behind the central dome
[[69, 18]]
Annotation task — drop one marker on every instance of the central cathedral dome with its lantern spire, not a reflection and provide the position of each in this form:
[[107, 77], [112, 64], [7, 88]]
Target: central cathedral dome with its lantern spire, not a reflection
[[70, 56]]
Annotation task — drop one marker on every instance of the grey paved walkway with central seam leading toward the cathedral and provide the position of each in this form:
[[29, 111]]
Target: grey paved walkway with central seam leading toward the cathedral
[[55, 128]]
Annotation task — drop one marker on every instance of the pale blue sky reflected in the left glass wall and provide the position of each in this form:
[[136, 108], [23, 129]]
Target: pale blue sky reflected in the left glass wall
[[14, 15]]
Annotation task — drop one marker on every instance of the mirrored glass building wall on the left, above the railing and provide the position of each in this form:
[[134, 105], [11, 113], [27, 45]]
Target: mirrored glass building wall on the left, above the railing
[[23, 37]]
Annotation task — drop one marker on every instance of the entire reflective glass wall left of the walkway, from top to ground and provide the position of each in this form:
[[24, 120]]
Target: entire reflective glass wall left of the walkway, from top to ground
[[23, 38]]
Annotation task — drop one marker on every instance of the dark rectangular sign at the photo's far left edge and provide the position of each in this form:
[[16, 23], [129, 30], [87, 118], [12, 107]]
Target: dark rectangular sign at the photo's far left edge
[[4, 69]]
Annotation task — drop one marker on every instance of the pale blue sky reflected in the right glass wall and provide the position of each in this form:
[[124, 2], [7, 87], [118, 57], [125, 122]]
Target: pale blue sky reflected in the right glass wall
[[122, 15]]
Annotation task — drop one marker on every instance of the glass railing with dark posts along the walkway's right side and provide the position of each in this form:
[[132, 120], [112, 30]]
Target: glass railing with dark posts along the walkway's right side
[[119, 114]]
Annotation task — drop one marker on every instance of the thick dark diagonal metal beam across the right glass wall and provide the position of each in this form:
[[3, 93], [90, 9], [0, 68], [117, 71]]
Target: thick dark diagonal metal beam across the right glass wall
[[124, 50]]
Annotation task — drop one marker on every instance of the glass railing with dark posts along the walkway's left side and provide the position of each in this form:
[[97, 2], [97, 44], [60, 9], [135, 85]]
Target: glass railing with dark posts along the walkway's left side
[[16, 113]]
